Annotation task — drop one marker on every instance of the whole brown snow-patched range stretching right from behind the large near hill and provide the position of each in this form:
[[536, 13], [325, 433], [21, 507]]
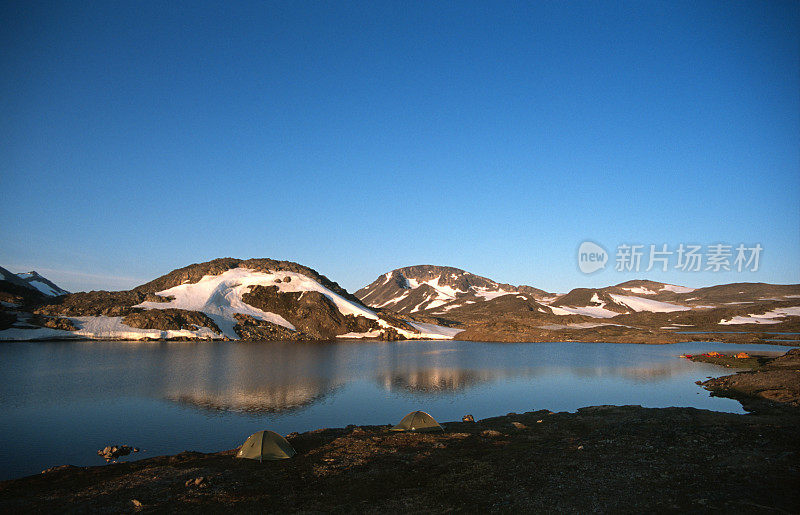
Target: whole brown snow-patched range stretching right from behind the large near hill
[[632, 311]]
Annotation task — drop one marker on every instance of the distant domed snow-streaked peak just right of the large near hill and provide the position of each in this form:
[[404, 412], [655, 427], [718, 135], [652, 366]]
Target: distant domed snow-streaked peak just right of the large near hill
[[436, 289]]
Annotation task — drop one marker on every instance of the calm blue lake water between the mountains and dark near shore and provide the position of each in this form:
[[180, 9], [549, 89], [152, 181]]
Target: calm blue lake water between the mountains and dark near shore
[[62, 401]]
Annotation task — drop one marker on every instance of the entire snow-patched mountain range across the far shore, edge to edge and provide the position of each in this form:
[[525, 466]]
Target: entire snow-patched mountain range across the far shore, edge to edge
[[266, 299]]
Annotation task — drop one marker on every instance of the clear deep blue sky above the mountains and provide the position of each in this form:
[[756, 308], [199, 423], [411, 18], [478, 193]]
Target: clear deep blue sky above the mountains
[[138, 137]]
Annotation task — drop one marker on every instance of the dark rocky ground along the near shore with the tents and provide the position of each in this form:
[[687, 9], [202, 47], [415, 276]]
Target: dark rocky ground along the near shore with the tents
[[602, 458]]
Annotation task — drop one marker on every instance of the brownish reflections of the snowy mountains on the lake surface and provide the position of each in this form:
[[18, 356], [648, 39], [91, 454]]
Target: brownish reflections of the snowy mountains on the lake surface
[[275, 377]]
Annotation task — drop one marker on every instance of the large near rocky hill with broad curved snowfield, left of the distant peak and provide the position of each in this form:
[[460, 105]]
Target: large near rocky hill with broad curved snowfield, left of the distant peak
[[228, 299]]
